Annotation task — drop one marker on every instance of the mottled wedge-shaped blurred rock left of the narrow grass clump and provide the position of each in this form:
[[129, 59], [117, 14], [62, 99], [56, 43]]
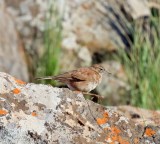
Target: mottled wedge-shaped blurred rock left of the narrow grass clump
[[30, 19]]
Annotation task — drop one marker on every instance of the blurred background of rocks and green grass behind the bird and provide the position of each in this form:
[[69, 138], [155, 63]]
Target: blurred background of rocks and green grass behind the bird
[[49, 37]]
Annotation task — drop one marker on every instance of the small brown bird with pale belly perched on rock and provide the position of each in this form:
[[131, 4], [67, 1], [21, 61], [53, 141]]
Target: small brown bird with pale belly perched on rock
[[83, 79]]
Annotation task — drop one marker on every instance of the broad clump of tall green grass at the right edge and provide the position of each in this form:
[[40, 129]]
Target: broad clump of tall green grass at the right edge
[[142, 64]]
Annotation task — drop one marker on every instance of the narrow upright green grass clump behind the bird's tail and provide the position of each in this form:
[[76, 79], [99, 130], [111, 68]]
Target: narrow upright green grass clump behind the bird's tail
[[49, 62]]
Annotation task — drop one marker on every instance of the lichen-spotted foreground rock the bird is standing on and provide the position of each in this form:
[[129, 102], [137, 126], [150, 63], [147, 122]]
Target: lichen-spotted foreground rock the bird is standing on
[[35, 113]]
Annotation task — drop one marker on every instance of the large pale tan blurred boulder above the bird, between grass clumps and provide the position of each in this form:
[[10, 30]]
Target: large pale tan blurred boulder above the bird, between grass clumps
[[102, 24]]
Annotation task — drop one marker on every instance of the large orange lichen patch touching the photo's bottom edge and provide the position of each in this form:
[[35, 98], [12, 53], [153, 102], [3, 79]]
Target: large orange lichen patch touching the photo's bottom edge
[[114, 136]]
